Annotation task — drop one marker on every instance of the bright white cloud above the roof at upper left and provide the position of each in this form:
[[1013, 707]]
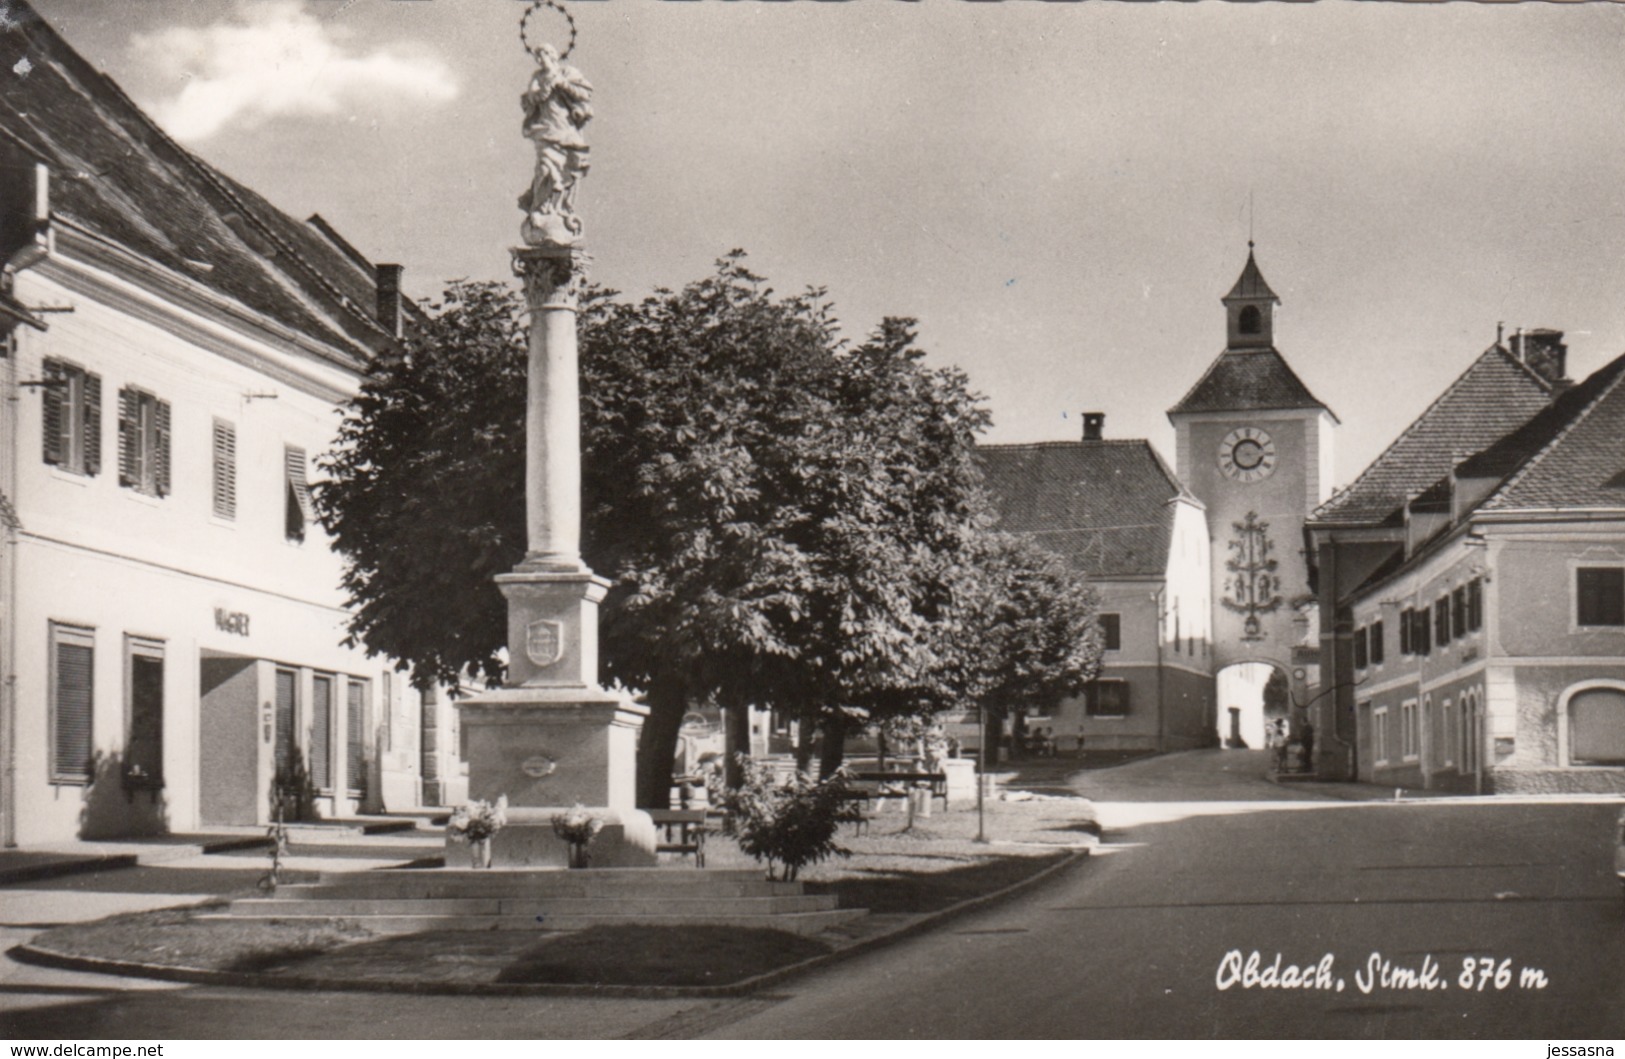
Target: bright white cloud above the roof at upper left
[[275, 59]]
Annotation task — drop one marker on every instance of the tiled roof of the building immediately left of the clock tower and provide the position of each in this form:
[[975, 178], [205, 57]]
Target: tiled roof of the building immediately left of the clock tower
[[1103, 506]]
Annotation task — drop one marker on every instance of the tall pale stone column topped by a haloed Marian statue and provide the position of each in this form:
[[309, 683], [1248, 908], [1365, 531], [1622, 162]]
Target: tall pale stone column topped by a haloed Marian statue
[[552, 738]]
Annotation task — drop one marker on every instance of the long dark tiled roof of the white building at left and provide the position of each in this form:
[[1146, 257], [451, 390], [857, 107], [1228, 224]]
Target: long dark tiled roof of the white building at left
[[119, 176]]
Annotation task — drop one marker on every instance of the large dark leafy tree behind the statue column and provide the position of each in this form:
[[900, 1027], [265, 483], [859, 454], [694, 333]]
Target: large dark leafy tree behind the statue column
[[773, 511]]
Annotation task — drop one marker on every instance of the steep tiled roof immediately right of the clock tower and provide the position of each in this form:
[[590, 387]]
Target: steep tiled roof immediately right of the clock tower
[[1491, 399]]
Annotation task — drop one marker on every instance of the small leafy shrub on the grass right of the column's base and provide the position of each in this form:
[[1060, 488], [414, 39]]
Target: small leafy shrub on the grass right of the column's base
[[789, 823]]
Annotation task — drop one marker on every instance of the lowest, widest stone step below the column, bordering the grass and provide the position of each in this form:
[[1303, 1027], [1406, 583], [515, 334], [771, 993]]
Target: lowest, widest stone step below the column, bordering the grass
[[365, 909]]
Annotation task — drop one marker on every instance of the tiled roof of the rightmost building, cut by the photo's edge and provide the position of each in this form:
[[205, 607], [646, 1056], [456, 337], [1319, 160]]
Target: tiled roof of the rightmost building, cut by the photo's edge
[[1572, 456]]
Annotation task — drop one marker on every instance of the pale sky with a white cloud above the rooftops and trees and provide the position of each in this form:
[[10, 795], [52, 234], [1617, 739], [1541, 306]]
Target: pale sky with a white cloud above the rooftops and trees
[[1059, 192]]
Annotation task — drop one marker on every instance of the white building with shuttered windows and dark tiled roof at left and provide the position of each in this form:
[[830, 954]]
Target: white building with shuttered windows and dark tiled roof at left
[[173, 629]]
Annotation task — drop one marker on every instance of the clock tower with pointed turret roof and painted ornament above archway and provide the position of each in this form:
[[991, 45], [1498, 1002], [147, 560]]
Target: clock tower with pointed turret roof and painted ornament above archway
[[1255, 447]]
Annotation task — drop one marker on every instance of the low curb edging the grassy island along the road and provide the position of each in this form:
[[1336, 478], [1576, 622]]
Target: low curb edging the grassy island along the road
[[204, 977]]
